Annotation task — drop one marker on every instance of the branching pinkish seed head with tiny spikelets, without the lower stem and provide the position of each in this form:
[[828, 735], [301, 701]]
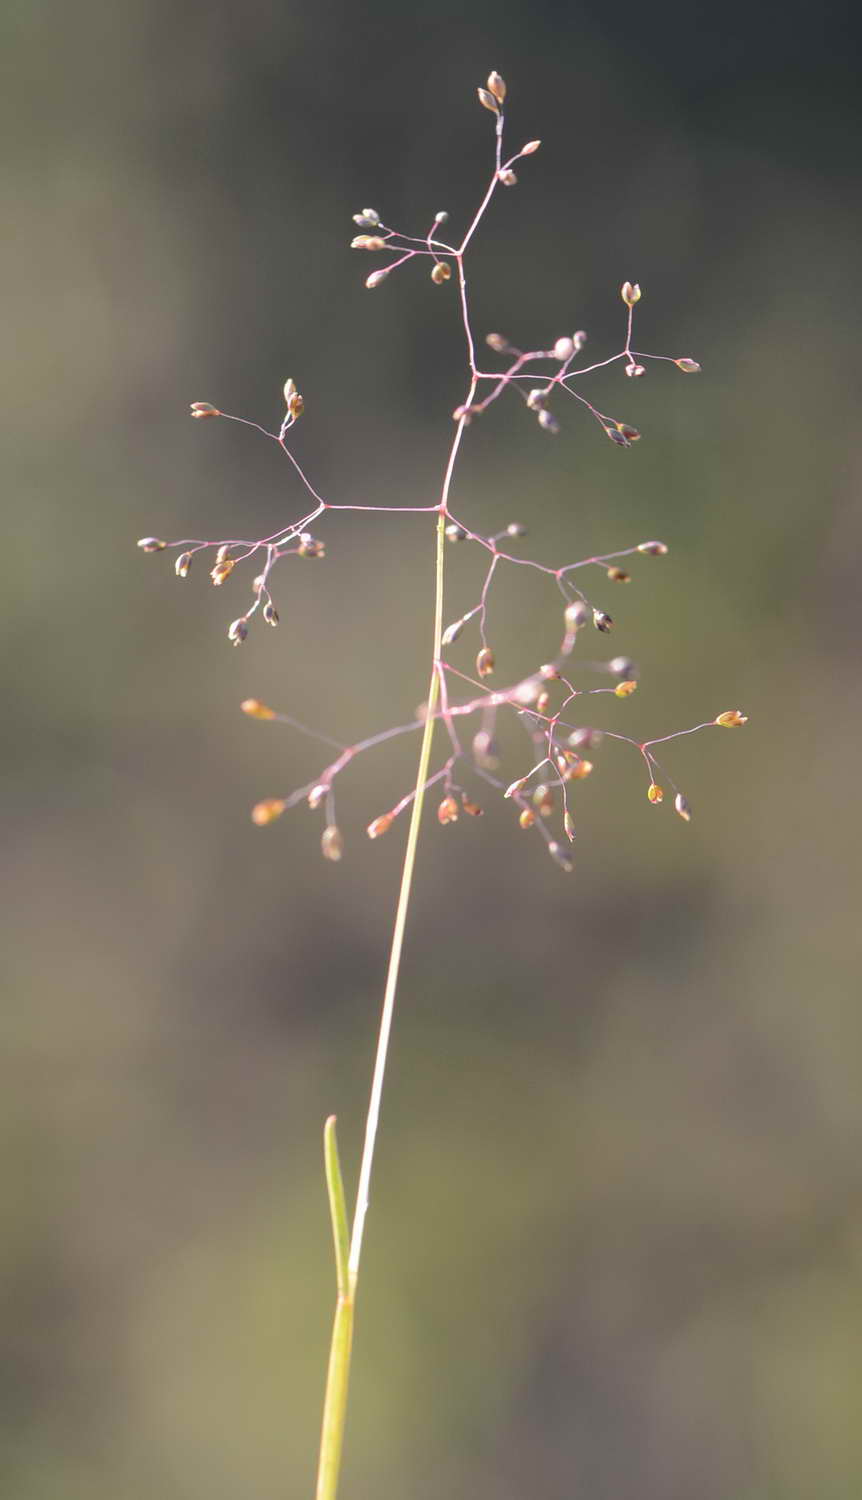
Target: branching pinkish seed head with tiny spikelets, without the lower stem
[[543, 700]]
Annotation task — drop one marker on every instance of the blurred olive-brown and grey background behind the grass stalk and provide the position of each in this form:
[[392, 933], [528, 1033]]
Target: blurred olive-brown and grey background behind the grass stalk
[[615, 1246]]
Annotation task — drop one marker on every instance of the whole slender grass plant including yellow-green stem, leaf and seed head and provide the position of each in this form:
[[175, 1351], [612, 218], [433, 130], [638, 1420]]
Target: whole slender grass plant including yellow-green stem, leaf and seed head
[[465, 706]]
